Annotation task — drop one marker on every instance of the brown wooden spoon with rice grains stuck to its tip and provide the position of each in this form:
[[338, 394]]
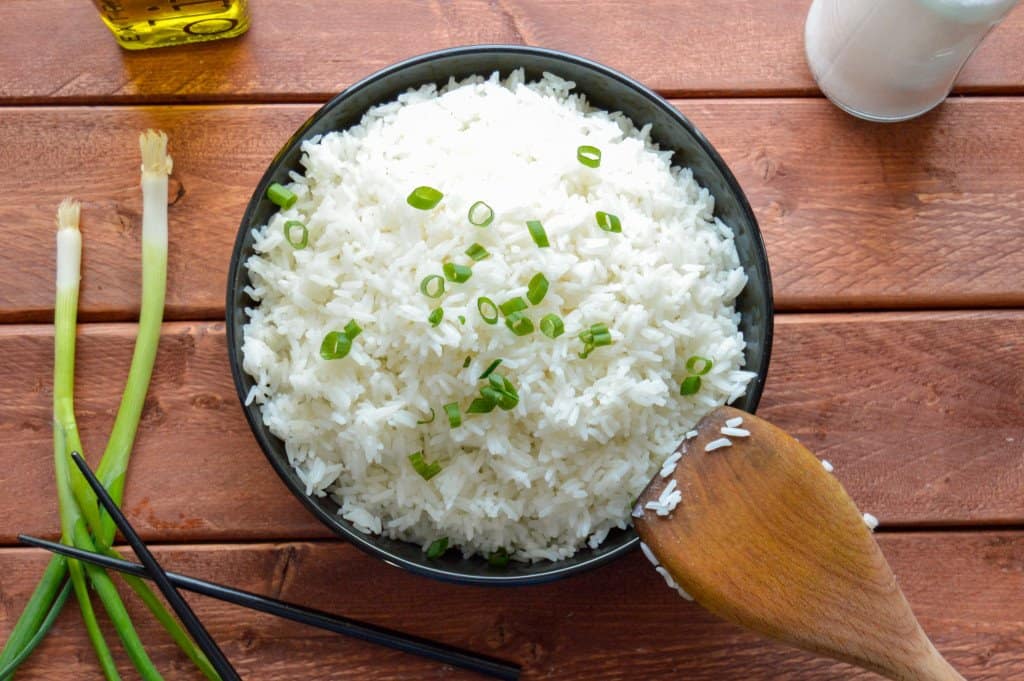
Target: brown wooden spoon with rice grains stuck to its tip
[[765, 538]]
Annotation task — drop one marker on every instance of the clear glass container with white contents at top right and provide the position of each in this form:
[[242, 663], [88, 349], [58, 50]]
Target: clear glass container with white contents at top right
[[893, 60]]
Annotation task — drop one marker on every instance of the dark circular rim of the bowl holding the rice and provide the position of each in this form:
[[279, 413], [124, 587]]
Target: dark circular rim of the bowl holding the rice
[[259, 431]]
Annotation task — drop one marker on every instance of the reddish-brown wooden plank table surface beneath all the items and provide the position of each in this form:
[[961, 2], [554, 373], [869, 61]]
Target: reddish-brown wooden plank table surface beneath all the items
[[898, 254]]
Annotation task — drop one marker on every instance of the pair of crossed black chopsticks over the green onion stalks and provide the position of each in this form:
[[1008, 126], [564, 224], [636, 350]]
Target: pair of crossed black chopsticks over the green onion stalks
[[170, 582]]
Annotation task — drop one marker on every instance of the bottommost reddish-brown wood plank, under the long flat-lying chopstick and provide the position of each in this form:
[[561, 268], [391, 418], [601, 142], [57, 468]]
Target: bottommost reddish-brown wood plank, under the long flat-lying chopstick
[[616, 623]]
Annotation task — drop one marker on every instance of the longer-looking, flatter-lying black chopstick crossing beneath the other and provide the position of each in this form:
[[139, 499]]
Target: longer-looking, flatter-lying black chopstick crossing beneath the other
[[498, 669]]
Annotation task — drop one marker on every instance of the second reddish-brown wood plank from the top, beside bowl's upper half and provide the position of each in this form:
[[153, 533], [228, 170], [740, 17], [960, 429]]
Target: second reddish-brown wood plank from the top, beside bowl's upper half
[[856, 216]]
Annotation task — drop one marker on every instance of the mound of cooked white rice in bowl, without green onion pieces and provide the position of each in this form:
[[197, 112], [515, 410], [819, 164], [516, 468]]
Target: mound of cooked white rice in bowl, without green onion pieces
[[557, 473]]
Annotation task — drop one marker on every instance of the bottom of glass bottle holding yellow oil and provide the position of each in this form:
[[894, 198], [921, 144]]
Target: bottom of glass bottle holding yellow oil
[[145, 24]]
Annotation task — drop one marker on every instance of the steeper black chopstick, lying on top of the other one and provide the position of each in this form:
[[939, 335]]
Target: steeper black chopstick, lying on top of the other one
[[189, 619]]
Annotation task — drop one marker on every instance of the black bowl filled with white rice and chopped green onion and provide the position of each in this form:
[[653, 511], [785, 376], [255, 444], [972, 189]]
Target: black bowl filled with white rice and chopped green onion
[[480, 297]]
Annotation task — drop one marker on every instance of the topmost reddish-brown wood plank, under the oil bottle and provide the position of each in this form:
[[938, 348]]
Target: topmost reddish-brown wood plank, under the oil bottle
[[673, 47]]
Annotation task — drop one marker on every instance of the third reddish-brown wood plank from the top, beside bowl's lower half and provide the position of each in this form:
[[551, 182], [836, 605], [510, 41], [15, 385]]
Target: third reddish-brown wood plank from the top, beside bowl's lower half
[[922, 414]]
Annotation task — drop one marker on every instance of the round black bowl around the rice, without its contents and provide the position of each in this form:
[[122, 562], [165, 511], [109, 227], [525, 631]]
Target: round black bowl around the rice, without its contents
[[607, 90]]
